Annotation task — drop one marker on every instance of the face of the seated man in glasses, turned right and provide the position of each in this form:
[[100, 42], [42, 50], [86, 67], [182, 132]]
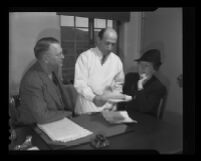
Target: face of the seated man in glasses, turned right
[[55, 55]]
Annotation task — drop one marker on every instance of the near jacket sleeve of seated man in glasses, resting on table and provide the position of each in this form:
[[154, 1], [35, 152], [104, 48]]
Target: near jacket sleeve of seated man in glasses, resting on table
[[32, 96]]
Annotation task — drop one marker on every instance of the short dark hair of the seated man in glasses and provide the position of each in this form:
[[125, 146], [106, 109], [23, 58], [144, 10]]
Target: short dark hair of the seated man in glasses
[[43, 45]]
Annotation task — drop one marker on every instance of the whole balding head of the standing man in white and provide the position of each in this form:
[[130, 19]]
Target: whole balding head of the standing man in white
[[107, 40]]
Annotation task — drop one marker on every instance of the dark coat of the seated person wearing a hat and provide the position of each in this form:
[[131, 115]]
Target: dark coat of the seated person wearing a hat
[[146, 100]]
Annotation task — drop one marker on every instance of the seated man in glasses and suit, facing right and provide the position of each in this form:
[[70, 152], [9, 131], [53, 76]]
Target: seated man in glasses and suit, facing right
[[43, 97]]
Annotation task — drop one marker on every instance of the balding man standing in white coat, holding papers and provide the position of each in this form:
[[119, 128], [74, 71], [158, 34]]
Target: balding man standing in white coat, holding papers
[[99, 75]]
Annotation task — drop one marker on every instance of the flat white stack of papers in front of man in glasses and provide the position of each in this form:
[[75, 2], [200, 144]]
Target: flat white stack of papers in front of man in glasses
[[64, 130]]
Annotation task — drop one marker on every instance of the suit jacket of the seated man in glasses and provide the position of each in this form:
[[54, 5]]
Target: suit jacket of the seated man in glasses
[[41, 100]]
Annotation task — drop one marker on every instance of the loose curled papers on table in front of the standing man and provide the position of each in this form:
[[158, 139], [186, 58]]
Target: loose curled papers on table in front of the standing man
[[117, 117]]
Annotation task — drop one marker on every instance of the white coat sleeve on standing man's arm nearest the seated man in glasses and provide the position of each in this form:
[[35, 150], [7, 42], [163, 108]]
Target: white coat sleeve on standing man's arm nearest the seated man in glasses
[[81, 77]]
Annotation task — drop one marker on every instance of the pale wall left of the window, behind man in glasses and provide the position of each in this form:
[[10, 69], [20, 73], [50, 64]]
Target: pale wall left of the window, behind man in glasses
[[25, 28]]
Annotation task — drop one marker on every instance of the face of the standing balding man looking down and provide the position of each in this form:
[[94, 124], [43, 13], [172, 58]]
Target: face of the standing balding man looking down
[[107, 43]]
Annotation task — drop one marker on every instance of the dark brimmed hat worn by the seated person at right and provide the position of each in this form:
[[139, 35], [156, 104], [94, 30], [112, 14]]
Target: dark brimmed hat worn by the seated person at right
[[152, 55]]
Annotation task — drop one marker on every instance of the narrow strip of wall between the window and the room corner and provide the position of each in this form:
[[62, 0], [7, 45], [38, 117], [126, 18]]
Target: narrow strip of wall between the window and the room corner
[[130, 41]]
